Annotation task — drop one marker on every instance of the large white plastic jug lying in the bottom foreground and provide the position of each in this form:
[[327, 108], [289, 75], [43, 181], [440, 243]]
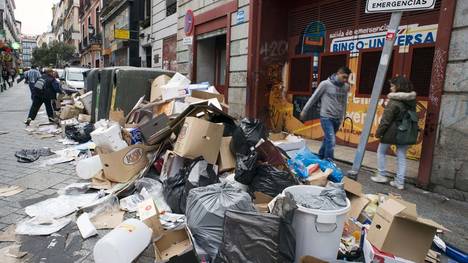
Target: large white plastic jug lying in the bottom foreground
[[124, 243]]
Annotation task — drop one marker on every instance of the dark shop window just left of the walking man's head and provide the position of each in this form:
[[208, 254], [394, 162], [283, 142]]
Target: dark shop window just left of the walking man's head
[[300, 75]]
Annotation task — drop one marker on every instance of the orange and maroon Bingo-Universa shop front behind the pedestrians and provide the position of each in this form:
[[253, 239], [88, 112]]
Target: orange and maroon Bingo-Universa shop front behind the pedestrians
[[310, 41]]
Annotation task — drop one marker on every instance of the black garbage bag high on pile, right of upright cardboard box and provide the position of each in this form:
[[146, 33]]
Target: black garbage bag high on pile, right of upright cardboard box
[[247, 134]]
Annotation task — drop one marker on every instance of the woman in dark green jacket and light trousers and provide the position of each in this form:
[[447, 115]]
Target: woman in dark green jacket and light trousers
[[402, 99]]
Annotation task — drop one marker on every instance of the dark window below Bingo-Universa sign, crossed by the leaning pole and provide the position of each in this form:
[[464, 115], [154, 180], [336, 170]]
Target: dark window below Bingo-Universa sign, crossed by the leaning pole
[[367, 70]]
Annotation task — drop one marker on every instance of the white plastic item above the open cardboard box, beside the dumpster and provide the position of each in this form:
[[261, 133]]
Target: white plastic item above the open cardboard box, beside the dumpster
[[110, 138]]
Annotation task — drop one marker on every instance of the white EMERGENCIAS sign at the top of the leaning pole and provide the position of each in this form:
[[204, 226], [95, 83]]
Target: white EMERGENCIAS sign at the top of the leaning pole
[[374, 6]]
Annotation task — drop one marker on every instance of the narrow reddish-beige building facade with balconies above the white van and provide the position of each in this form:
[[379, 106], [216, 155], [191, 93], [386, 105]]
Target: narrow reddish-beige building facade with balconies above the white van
[[91, 37]]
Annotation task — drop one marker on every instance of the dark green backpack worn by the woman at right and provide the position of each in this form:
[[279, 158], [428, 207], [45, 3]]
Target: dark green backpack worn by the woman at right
[[408, 128]]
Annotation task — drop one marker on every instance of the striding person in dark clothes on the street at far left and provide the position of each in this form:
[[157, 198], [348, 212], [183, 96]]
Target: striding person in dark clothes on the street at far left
[[44, 92]]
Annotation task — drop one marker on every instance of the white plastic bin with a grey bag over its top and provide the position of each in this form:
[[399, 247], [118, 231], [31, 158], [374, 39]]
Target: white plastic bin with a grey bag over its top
[[318, 232]]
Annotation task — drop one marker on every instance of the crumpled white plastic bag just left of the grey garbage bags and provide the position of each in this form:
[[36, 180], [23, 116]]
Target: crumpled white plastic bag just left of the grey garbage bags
[[150, 188]]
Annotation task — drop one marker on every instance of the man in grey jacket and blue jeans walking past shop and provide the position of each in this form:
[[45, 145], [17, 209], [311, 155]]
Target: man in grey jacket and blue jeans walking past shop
[[332, 96]]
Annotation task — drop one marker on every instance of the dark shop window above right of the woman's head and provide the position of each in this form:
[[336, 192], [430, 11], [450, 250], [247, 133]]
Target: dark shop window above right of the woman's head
[[421, 69]]
